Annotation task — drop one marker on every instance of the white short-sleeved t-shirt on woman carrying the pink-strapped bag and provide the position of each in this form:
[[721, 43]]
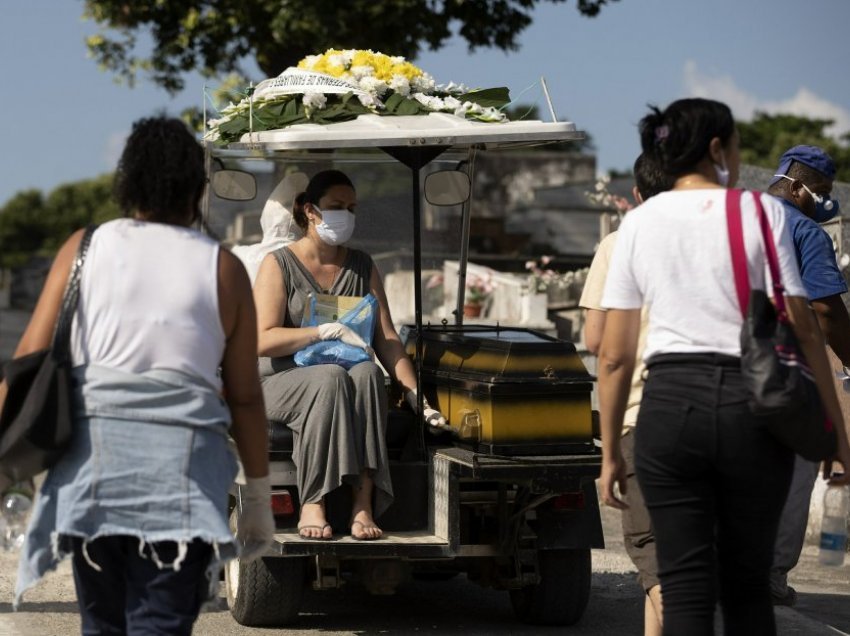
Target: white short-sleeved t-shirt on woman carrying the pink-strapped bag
[[672, 254]]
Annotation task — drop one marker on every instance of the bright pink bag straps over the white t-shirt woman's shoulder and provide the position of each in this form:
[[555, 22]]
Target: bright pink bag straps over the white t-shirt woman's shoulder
[[734, 225]]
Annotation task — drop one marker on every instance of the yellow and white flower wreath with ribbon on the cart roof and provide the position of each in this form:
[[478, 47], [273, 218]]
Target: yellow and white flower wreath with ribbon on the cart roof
[[340, 85]]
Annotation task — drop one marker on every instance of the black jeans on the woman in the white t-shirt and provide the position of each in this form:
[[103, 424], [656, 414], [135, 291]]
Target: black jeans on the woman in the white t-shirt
[[714, 482]]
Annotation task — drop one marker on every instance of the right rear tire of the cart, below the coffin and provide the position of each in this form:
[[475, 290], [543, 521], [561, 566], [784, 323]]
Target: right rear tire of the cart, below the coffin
[[561, 596]]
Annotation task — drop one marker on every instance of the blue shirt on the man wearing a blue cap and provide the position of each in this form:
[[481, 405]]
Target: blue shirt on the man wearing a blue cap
[[815, 255]]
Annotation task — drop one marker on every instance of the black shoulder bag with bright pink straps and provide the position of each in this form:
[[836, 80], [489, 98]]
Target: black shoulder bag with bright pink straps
[[779, 380]]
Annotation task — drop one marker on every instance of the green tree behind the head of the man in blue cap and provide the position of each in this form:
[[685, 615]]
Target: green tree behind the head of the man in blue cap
[[766, 137]]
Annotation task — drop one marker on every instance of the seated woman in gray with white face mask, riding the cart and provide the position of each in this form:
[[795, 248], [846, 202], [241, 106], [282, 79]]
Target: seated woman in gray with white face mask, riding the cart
[[338, 417]]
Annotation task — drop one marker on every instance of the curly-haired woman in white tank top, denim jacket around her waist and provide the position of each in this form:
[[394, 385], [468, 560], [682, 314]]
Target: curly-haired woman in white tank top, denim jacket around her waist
[[164, 326]]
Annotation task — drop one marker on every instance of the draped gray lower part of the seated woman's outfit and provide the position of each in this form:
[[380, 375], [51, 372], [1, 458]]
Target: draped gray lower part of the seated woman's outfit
[[338, 419]]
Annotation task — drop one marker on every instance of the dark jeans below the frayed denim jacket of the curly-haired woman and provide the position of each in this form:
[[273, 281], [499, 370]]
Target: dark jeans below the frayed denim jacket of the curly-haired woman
[[131, 594]]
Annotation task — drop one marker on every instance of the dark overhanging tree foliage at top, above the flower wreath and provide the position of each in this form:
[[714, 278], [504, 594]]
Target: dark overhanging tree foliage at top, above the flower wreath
[[216, 36]]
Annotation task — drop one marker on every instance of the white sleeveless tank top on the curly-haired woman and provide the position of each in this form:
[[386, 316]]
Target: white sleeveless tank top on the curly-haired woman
[[149, 300]]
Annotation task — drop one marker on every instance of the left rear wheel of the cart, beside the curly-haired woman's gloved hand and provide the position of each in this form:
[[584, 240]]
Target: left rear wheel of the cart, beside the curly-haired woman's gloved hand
[[265, 592]]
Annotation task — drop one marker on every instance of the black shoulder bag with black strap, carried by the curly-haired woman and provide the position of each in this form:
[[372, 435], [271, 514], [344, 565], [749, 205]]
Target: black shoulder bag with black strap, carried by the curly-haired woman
[[35, 423]]
